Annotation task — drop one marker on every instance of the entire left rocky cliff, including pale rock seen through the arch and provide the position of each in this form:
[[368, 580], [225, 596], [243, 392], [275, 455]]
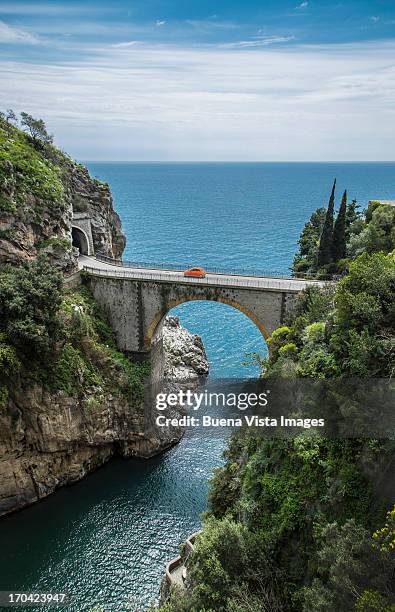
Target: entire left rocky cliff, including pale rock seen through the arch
[[69, 400]]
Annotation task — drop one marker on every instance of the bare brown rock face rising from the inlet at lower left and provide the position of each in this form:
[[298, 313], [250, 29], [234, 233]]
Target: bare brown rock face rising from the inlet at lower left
[[48, 440]]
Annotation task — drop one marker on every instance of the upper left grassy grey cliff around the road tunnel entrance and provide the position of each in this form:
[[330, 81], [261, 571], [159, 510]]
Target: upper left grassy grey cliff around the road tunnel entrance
[[40, 189]]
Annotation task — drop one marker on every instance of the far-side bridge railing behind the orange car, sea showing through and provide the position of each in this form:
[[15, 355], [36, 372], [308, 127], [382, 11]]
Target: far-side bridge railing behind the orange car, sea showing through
[[122, 263]]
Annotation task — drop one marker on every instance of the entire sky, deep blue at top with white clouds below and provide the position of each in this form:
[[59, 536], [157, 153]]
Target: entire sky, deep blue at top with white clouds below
[[204, 80]]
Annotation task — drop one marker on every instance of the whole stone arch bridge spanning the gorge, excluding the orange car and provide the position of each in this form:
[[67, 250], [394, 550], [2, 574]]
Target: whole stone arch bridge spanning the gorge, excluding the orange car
[[137, 299]]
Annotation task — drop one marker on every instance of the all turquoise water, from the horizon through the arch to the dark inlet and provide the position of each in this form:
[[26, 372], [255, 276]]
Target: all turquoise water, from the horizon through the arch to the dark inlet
[[106, 539]]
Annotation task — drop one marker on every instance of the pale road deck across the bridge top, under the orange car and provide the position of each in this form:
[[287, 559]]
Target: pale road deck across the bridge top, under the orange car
[[264, 283]]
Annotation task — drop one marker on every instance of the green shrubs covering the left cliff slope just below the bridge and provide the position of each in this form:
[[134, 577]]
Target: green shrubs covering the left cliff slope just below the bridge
[[60, 340]]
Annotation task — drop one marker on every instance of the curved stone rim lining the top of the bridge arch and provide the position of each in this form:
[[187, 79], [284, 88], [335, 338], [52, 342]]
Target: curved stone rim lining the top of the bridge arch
[[160, 315]]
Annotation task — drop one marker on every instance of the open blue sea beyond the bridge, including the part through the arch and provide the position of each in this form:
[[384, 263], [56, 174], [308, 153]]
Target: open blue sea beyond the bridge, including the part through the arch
[[234, 216]]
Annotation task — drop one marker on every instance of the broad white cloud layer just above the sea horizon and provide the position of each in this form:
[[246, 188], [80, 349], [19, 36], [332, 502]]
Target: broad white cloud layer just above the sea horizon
[[323, 102]]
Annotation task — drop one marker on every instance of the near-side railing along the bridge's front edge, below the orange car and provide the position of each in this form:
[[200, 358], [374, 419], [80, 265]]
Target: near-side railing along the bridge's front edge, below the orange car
[[282, 284]]
